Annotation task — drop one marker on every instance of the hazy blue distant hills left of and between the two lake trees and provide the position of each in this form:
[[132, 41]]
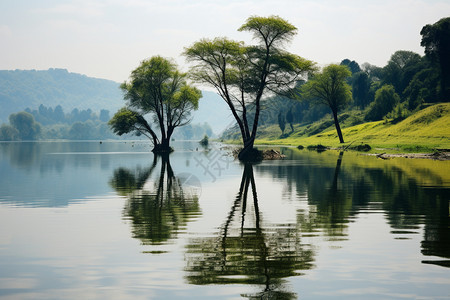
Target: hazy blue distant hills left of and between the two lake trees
[[20, 89]]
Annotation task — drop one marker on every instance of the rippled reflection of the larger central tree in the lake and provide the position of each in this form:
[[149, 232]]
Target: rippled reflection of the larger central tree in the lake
[[248, 251]]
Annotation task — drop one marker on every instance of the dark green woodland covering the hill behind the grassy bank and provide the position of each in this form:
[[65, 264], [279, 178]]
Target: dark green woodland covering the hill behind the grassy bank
[[406, 84]]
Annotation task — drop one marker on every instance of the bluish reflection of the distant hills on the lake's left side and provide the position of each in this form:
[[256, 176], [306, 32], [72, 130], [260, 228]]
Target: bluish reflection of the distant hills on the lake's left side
[[56, 174]]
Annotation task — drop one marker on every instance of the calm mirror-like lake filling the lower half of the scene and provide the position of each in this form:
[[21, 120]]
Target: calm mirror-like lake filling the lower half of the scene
[[91, 220]]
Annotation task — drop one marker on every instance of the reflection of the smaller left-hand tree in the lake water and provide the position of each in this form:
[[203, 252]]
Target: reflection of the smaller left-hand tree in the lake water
[[160, 206]]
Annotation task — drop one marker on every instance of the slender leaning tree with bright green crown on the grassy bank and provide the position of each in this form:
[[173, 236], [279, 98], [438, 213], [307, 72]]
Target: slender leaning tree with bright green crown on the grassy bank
[[330, 88]]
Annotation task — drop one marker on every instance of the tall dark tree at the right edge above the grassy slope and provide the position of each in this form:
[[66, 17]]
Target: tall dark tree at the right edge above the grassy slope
[[436, 40]]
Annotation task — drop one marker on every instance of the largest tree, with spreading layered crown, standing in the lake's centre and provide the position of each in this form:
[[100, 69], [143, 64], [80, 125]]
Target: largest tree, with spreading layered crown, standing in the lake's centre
[[242, 74]]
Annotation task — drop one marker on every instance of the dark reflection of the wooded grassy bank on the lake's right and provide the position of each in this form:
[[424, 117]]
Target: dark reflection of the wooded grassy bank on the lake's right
[[363, 184]]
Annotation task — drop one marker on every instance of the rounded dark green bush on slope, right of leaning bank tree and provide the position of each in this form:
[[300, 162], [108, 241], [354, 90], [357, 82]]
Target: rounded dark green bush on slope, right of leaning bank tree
[[385, 100]]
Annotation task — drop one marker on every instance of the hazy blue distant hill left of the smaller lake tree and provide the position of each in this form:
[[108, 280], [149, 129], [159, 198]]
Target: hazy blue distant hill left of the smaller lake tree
[[20, 89]]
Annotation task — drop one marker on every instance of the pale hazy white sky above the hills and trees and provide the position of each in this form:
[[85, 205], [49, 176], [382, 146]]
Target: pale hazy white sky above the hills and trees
[[108, 38]]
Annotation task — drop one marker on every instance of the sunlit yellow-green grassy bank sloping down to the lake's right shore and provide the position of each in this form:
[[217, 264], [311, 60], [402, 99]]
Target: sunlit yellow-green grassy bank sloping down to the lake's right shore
[[424, 131]]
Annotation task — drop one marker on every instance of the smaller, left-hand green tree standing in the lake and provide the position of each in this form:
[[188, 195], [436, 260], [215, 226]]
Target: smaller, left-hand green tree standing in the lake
[[158, 89]]
